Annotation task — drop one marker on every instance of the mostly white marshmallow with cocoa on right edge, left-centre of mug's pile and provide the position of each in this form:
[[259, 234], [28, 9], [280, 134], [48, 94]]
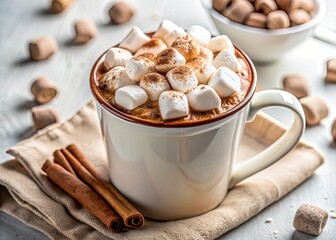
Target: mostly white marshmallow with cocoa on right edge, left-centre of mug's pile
[[136, 67]]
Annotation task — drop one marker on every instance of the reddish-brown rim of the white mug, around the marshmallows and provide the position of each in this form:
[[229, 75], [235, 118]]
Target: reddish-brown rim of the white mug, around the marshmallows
[[126, 117]]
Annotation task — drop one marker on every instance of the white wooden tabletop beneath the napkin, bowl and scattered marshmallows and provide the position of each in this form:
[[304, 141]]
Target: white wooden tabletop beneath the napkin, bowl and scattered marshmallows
[[23, 20]]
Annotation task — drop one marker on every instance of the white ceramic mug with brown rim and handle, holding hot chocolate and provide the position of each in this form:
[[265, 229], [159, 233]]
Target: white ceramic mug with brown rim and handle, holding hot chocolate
[[174, 172]]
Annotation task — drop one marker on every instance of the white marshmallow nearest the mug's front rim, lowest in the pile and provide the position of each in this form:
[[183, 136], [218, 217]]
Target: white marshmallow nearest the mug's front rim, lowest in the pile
[[173, 105]]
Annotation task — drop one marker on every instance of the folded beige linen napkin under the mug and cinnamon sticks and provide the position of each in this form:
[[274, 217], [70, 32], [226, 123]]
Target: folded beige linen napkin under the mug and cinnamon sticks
[[29, 196]]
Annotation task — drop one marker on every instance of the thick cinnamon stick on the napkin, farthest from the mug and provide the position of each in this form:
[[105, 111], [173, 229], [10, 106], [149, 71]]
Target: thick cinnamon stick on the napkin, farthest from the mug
[[88, 198]]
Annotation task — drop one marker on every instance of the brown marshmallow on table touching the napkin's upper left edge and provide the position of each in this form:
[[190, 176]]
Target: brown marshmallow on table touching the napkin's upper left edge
[[43, 117]]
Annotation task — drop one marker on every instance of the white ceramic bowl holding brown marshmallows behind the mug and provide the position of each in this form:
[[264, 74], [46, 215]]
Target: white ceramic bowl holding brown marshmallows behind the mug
[[263, 45]]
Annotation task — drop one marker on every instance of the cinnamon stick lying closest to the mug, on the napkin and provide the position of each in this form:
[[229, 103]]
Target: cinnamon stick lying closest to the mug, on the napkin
[[131, 217]]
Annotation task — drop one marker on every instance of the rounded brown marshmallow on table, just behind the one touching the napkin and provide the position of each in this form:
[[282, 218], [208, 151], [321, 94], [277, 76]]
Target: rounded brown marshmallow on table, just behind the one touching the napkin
[[43, 90]]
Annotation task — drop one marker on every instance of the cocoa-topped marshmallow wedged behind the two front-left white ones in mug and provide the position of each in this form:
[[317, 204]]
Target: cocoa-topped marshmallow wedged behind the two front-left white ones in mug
[[154, 84]]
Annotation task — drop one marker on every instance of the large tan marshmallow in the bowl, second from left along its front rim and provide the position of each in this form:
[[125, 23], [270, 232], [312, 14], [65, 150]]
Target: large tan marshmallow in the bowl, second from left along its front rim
[[238, 11]]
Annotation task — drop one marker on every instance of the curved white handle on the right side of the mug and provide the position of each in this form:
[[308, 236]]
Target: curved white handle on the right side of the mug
[[265, 99]]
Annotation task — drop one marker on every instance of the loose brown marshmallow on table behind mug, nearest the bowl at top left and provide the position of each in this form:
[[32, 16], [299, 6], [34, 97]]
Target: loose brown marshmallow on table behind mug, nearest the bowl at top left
[[120, 13]]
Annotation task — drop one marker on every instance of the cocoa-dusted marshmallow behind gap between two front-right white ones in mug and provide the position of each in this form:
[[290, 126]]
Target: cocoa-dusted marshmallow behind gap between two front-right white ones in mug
[[182, 78]]
